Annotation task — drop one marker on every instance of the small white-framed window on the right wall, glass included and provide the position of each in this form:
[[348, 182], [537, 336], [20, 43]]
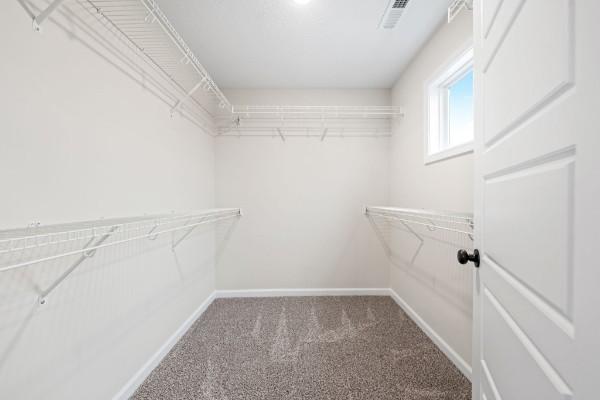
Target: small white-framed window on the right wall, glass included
[[450, 110]]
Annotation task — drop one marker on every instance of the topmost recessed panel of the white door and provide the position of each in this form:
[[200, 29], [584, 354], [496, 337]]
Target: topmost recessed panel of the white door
[[535, 81]]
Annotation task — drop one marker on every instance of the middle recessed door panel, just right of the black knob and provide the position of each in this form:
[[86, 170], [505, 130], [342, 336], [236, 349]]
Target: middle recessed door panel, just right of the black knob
[[517, 204]]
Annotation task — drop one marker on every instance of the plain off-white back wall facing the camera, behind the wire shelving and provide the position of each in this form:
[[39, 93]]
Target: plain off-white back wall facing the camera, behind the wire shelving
[[303, 201]]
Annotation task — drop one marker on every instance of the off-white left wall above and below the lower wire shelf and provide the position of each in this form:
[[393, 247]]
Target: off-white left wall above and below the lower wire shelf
[[81, 138]]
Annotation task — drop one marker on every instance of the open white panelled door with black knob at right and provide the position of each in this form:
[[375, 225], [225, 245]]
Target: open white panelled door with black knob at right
[[537, 291]]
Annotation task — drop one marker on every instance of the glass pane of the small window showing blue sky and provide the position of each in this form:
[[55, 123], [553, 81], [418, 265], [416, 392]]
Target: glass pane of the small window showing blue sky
[[460, 110]]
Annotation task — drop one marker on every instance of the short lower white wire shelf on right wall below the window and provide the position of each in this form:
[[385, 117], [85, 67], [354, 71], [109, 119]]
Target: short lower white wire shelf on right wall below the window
[[432, 220]]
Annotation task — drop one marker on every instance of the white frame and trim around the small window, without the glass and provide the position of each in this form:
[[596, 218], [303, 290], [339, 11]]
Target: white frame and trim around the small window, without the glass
[[436, 108]]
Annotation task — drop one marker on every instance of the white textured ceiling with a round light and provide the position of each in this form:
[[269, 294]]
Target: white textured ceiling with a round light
[[324, 44]]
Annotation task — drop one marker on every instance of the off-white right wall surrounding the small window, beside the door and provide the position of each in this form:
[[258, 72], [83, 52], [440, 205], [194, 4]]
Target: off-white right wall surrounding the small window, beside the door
[[434, 285]]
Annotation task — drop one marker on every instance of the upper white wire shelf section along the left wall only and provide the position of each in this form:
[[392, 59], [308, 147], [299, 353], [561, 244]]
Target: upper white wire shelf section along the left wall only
[[143, 26]]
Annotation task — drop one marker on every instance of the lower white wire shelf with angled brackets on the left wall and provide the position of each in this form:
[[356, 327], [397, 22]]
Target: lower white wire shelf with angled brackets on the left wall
[[78, 241]]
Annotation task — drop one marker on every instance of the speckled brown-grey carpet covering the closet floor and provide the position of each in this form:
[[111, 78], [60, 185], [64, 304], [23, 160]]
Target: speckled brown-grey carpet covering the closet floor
[[305, 348]]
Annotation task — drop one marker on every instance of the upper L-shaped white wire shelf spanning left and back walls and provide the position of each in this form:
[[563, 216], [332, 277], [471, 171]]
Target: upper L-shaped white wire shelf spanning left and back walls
[[144, 28]]
